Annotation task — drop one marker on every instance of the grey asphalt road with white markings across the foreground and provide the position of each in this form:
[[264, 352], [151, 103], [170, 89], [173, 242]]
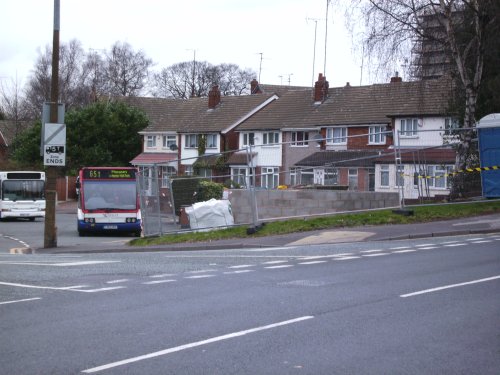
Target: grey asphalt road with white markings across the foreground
[[407, 307]]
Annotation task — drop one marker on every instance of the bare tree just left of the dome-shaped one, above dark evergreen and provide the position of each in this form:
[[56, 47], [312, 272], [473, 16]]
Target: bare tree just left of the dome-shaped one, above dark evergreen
[[126, 71]]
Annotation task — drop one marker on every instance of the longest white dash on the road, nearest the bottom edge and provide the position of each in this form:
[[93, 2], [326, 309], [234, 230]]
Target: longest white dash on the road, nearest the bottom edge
[[194, 344]]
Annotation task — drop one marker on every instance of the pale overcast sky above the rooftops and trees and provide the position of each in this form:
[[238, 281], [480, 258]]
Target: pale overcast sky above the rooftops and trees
[[167, 31]]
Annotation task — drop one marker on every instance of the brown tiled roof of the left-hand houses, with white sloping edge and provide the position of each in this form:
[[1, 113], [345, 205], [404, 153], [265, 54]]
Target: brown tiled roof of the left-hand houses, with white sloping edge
[[193, 115]]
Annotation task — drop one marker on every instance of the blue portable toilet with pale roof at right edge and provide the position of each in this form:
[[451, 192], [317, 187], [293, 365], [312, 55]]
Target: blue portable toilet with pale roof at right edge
[[489, 154]]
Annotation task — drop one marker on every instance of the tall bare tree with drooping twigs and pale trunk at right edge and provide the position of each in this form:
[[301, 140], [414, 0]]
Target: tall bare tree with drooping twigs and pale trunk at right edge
[[393, 26]]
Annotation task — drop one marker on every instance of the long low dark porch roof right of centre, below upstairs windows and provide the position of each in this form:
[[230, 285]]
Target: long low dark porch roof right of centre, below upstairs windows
[[340, 159]]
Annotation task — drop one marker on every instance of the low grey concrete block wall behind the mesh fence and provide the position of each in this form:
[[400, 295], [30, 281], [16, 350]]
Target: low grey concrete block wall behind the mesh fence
[[275, 204]]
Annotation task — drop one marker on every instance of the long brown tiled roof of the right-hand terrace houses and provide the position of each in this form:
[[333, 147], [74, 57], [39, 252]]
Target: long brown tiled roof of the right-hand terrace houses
[[354, 105]]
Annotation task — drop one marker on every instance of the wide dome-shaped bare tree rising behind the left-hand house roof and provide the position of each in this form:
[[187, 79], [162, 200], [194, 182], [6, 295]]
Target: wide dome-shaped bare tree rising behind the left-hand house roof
[[195, 79]]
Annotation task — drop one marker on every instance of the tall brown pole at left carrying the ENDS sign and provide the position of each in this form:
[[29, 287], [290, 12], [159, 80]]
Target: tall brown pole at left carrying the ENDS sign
[[50, 233]]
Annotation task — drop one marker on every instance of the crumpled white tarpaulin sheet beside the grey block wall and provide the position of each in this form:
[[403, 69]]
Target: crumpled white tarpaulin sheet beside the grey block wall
[[210, 214]]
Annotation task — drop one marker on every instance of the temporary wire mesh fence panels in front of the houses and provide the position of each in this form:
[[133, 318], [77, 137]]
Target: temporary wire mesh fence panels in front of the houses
[[289, 179]]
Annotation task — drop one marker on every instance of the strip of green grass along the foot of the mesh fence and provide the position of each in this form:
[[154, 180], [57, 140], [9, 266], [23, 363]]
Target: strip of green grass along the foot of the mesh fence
[[382, 217]]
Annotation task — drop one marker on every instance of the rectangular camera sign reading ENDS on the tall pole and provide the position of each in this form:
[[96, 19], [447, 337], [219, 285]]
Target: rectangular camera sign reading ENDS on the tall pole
[[54, 145]]
